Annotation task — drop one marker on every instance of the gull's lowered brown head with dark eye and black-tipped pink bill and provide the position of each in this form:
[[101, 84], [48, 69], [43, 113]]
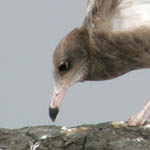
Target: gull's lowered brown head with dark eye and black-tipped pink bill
[[70, 65]]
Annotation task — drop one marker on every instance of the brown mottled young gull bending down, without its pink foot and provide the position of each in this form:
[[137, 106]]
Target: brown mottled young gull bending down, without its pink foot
[[114, 39]]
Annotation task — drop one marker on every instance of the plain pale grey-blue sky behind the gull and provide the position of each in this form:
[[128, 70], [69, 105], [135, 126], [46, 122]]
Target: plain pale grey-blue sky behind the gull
[[29, 33]]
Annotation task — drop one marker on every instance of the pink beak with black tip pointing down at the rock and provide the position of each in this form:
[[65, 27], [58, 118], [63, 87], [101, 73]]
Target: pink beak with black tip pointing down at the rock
[[56, 101]]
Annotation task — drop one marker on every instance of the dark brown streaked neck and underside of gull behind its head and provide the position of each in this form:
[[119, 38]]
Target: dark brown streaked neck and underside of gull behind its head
[[113, 54]]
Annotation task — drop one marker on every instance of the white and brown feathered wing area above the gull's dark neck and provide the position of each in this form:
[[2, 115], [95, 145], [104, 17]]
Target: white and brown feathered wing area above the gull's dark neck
[[119, 15]]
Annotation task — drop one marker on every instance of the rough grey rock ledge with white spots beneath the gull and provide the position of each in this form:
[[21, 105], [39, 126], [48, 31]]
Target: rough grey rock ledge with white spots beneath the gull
[[104, 136]]
